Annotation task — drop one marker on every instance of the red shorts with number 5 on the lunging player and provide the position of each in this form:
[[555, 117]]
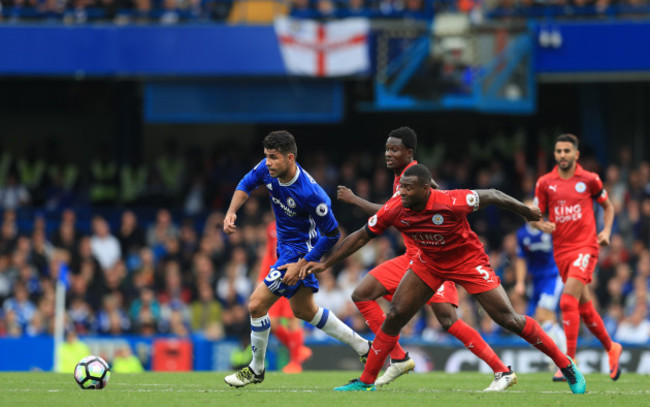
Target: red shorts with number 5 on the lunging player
[[476, 278]]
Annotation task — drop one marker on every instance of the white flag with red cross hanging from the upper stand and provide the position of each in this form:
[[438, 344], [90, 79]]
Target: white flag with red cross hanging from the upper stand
[[335, 48]]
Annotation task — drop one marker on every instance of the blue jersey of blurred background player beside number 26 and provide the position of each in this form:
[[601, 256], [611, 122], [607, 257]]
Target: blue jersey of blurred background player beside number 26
[[536, 247]]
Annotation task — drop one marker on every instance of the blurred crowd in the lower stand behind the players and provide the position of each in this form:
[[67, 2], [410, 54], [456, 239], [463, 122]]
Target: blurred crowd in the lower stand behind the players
[[133, 269]]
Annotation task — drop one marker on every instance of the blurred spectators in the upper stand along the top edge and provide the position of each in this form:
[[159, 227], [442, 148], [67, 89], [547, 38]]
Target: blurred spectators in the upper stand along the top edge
[[256, 11]]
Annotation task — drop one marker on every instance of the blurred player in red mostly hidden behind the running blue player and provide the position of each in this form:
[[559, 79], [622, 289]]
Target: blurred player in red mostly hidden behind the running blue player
[[290, 335]]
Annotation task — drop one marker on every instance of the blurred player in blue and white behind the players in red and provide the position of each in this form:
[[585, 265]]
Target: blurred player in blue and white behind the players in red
[[535, 257]]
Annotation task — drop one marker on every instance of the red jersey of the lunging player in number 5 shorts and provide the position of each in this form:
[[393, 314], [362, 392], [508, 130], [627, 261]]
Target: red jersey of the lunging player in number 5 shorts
[[440, 231]]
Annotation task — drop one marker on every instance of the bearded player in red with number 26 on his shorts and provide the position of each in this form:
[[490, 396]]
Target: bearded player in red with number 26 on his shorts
[[568, 193]]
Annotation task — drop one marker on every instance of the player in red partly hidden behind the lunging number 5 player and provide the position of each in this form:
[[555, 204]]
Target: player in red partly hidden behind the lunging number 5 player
[[382, 281]]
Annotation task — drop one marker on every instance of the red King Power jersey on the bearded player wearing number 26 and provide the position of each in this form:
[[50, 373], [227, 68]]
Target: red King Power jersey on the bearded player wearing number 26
[[570, 206]]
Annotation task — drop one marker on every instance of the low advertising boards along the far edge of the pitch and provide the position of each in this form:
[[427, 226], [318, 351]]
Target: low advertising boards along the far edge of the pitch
[[170, 354]]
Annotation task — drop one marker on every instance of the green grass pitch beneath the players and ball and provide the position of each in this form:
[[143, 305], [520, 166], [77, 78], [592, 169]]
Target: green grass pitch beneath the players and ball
[[311, 389]]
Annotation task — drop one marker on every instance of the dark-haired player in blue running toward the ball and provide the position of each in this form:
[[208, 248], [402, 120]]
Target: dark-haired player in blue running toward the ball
[[306, 230]]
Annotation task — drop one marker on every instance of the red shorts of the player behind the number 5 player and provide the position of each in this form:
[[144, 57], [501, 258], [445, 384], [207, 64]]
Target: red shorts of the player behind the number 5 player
[[390, 273]]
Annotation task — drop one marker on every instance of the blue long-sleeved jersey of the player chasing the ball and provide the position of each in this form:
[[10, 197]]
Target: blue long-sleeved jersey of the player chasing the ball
[[302, 208]]
